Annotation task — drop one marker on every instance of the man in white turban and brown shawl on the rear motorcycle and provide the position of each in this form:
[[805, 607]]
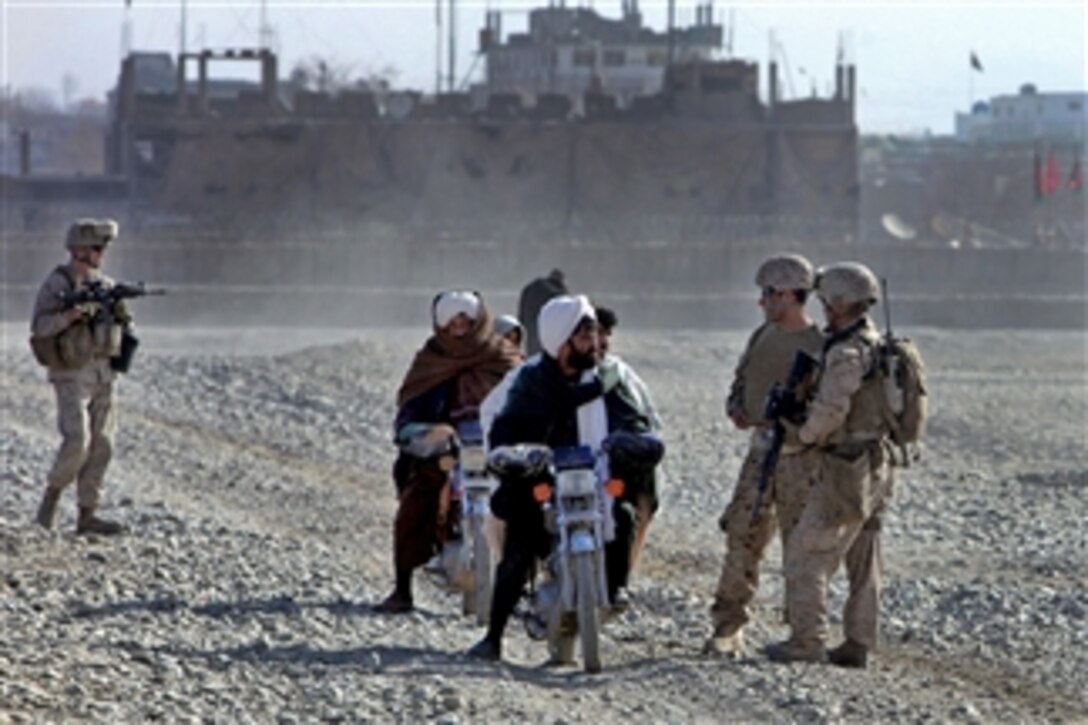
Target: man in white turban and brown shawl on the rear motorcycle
[[448, 380]]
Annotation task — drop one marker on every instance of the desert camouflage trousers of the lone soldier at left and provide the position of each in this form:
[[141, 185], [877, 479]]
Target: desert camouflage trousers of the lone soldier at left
[[86, 421]]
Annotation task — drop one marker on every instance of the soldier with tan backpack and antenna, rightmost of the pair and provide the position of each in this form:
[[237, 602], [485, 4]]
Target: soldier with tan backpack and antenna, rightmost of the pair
[[842, 521]]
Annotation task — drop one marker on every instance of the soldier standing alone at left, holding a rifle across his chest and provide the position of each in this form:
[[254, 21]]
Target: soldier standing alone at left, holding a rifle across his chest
[[81, 376]]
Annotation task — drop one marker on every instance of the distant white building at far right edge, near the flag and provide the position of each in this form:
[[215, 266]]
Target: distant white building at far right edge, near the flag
[[1027, 117]]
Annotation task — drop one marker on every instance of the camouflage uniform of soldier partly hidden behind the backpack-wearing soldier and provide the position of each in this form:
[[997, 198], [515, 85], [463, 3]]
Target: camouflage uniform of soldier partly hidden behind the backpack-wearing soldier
[[766, 361]]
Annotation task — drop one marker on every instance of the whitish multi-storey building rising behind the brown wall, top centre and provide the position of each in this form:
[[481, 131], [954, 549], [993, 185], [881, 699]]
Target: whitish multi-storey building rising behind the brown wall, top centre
[[573, 51]]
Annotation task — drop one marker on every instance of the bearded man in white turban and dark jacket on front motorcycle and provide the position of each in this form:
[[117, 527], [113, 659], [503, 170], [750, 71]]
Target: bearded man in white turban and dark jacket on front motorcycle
[[542, 408]]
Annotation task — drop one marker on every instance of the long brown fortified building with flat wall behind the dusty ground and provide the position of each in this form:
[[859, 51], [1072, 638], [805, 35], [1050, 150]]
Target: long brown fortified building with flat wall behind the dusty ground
[[703, 150]]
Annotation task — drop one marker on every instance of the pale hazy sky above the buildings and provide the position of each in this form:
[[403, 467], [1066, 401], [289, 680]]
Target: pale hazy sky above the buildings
[[912, 56]]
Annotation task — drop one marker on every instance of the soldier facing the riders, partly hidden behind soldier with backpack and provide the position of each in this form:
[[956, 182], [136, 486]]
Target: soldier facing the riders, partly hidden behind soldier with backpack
[[785, 282]]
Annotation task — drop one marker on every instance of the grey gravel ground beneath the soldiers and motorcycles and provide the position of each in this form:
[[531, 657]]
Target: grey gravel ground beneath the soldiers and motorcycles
[[253, 469]]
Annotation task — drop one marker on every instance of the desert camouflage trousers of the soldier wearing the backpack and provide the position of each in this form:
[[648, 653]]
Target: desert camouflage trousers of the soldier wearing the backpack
[[824, 539]]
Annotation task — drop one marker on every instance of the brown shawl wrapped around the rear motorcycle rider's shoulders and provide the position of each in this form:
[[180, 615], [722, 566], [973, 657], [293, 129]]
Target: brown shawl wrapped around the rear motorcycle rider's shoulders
[[479, 361]]
